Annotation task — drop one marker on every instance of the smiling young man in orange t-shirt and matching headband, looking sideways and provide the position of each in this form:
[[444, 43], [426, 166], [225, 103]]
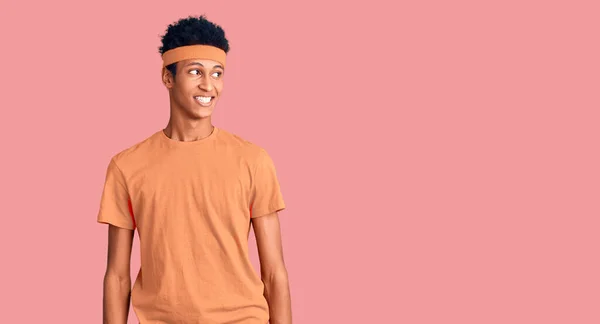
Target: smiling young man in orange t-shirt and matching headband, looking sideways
[[192, 191]]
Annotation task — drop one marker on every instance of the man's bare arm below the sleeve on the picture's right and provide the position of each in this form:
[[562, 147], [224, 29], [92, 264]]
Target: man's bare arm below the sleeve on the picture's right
[[272, 268]]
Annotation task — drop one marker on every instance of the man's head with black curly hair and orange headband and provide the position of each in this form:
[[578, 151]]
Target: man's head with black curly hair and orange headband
[[194, 50]]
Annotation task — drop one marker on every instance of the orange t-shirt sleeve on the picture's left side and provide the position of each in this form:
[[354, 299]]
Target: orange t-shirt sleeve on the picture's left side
[[115, 204]]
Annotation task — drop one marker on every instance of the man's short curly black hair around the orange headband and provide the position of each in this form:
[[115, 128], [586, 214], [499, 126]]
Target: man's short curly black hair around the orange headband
[[193, 31]]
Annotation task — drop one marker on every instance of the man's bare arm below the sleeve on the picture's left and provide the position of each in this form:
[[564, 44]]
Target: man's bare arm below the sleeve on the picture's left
[[117, 280]]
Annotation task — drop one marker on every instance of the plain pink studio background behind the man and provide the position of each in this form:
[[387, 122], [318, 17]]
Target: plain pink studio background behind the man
[[439, 160]]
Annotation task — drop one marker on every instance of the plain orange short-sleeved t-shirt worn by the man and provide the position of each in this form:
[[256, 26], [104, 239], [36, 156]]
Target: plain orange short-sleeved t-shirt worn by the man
[[192, 204]]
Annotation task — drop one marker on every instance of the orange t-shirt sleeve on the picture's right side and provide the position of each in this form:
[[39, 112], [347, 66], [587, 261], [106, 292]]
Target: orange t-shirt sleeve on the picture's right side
[[266, 195]]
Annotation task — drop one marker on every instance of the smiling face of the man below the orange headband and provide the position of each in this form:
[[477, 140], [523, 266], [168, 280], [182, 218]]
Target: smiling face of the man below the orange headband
[[196, 88]]
